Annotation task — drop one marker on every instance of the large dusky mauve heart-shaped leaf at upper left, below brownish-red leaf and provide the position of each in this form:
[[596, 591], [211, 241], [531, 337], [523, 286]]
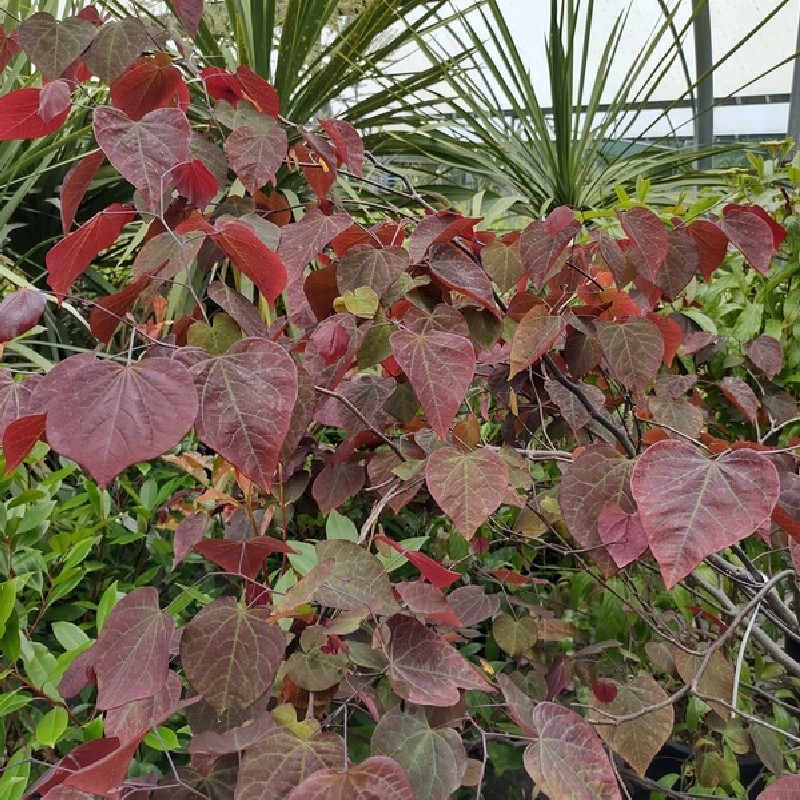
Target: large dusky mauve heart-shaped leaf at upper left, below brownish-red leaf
[[144, 152]]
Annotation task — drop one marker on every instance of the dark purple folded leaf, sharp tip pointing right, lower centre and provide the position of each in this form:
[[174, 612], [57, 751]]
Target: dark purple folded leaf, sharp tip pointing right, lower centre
[[424, 668]]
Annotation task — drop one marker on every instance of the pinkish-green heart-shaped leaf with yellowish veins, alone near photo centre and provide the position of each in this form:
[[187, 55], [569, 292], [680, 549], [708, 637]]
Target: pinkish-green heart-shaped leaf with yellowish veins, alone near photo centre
[[468, 486]]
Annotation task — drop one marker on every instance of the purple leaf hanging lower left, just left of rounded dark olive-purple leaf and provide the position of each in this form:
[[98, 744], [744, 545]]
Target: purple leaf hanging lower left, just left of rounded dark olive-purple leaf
[[132, 652]]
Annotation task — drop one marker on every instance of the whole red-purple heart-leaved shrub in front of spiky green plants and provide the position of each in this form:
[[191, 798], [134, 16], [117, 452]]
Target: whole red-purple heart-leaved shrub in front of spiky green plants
[[398, 367]]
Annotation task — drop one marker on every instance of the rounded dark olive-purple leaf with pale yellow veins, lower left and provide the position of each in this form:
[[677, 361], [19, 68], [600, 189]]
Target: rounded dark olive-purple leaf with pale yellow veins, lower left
[[231, 655]]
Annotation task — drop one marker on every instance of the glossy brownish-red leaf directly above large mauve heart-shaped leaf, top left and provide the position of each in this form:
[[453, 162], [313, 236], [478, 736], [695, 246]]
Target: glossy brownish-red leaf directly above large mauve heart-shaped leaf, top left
[[152, 82]]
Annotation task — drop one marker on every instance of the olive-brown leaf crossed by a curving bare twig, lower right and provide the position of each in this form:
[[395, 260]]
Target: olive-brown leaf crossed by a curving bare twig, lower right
[[639, 740]]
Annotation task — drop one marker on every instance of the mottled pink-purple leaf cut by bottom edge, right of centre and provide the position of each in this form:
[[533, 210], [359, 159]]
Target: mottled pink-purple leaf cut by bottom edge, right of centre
[[567, 759]]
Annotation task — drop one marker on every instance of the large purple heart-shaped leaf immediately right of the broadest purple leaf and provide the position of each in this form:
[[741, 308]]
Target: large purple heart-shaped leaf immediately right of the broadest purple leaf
[[246, 400]]
